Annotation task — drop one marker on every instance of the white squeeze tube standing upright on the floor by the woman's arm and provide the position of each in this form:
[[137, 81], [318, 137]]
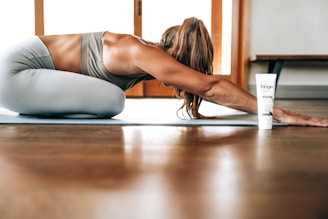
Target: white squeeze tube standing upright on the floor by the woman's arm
[[265, 89]]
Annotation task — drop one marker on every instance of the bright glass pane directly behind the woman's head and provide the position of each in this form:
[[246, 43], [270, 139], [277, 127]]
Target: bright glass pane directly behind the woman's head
[[158, 15]]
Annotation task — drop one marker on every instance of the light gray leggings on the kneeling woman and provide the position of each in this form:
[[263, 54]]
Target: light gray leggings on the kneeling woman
[[29, 84]]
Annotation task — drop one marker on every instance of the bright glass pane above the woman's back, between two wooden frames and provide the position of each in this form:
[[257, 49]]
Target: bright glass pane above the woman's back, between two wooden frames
[[77, 16]]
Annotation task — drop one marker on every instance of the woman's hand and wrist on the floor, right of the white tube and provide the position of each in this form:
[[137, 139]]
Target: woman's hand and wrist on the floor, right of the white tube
[[295, 118]]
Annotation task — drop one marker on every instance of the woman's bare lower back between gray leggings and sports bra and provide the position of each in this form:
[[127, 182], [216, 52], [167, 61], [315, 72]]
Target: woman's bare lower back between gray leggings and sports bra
[[65, 51]]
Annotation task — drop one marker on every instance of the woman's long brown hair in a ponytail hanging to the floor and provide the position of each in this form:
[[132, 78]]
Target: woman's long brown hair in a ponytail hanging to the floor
[[190, 44]]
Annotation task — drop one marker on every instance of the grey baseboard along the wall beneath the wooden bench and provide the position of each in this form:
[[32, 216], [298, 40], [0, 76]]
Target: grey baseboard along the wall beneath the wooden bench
[[298, 91]]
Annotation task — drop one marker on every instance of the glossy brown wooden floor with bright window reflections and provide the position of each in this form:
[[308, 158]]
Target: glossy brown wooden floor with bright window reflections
[[102, 172]]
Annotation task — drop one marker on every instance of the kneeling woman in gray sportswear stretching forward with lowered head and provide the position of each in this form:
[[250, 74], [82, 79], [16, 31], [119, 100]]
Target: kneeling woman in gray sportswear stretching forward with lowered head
[[88, 73]]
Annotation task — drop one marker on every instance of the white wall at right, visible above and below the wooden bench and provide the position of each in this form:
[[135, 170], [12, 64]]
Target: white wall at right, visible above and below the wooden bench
[[291, 27]]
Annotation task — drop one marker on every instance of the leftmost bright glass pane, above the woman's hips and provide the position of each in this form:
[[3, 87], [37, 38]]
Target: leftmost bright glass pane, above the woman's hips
[[16, 21]]
